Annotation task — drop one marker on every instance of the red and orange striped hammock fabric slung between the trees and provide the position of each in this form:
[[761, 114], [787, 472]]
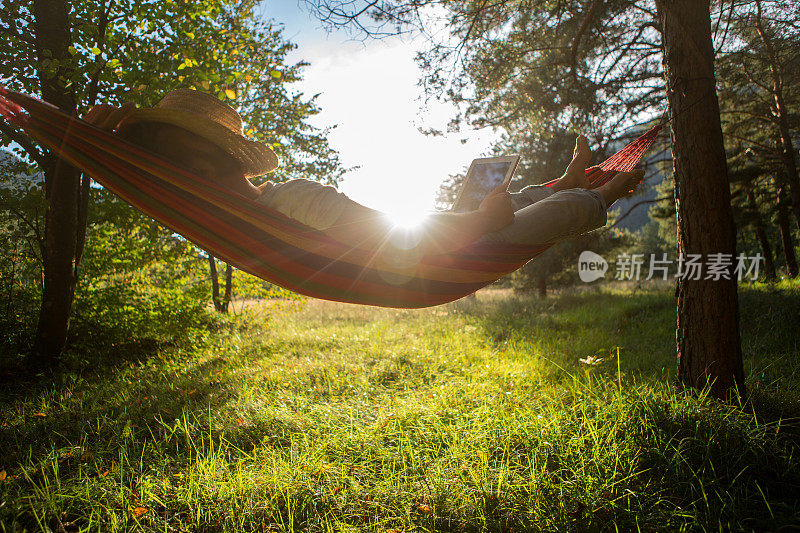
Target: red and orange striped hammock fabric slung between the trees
[[266, 243]]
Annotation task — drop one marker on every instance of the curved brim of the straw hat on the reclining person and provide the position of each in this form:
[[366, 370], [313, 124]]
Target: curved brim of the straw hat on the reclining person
[[254, 157]]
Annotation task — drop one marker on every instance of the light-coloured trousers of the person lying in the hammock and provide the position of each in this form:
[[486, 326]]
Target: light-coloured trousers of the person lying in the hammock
[[542, 216]]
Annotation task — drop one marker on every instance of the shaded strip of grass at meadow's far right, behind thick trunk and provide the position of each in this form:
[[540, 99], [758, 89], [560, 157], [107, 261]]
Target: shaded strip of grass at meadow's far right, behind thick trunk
[[575, 325]]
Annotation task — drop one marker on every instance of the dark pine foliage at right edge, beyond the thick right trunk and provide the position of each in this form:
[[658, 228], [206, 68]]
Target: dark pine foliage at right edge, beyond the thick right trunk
[[758, 96]]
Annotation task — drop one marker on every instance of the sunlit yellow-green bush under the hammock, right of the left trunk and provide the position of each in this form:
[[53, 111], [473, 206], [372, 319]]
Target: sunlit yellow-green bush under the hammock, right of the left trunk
[[139, 281]]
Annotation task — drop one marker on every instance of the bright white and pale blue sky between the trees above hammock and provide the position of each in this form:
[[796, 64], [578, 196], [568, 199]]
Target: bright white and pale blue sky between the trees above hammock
[[369, 91]]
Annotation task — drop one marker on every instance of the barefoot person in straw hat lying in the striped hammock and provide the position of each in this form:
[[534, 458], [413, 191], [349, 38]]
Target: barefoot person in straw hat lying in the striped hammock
[[199, 133]]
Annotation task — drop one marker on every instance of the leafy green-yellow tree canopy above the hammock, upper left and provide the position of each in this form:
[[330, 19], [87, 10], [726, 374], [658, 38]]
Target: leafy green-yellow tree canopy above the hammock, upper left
[[137, 51]]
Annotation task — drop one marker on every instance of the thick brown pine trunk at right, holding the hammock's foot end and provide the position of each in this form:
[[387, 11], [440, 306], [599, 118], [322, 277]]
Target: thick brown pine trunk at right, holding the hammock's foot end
[[709, 346]]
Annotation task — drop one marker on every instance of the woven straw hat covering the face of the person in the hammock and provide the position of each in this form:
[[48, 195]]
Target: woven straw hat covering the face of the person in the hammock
[[204, 115]]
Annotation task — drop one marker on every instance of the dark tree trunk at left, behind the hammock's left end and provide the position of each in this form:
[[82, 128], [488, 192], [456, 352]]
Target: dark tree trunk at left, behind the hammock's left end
[[62, 189]]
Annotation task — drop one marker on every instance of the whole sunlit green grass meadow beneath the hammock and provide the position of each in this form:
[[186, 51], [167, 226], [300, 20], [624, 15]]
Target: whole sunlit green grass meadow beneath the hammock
[[315, 416]]
